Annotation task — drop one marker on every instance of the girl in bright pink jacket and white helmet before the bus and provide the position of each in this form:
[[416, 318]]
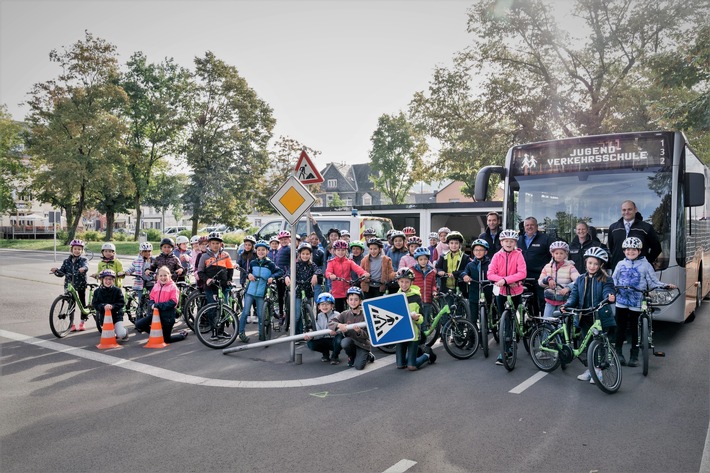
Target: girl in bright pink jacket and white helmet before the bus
[[507, 268]]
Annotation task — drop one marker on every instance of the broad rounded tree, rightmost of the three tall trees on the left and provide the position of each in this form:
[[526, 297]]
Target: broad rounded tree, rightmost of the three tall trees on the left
[[229, 130]]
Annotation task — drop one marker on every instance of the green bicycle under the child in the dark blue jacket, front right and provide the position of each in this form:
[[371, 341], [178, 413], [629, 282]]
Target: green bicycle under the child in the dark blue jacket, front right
[[551, 345]]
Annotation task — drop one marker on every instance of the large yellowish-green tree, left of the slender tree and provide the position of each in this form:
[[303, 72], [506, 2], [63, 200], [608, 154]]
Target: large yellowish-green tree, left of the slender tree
[[75, 128]]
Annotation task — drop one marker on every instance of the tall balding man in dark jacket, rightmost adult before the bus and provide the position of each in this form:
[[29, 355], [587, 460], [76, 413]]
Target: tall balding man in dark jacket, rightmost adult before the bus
[[631, 224]]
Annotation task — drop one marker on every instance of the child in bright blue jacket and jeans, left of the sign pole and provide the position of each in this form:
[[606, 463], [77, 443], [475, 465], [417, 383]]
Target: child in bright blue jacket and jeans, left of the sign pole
[[262, 272]]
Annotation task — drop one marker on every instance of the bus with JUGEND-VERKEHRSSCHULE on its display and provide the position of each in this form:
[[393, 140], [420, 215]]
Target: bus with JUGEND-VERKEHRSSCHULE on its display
[[561, 182]]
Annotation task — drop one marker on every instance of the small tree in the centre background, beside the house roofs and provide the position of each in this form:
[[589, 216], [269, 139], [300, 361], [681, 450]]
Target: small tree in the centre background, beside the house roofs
[[396, 157]]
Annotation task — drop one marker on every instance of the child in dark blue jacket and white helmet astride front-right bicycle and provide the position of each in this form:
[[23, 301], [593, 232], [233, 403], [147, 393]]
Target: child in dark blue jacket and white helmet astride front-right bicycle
[[589, 290]]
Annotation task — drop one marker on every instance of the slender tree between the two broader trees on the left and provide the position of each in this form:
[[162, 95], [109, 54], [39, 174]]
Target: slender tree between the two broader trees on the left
[[158, 95]]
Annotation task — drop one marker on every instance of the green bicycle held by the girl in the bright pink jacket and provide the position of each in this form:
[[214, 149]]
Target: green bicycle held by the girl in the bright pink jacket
[[514, 328]]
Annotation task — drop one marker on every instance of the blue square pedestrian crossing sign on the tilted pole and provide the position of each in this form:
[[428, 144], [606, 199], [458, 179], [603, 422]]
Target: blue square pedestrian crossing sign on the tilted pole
[[388, 319]]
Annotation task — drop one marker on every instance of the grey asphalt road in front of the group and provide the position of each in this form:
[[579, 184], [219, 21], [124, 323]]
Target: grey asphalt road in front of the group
[[68, 407]]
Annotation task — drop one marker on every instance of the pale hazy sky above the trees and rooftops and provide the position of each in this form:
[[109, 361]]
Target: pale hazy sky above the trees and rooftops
[[328, 69]]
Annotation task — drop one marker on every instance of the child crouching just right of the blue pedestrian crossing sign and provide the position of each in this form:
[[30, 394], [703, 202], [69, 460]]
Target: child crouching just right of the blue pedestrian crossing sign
[[406, 352]]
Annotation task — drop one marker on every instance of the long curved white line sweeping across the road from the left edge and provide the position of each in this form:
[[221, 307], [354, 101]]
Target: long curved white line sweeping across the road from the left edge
[[190, 379]]
